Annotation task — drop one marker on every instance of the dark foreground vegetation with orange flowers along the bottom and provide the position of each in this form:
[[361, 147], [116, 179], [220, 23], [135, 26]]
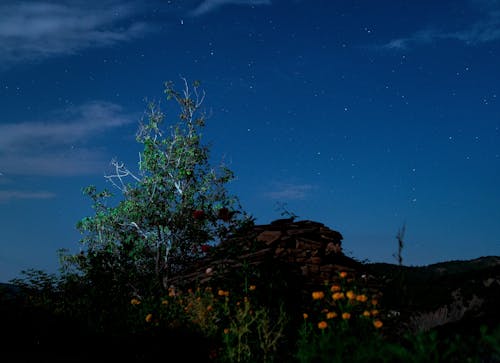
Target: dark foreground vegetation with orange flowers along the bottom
[[424, 322]]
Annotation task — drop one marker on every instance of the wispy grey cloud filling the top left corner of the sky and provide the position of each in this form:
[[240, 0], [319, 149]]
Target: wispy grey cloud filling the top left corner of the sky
[[36, 30]]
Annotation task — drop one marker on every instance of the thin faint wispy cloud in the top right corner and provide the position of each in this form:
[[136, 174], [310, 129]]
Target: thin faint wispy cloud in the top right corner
[[486, 29]]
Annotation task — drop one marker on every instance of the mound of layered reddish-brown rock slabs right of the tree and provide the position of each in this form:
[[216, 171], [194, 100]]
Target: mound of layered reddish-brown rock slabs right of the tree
[[309, 252]]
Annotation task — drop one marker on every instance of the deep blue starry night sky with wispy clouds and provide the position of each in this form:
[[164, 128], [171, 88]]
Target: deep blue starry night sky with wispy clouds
[[361, 115]]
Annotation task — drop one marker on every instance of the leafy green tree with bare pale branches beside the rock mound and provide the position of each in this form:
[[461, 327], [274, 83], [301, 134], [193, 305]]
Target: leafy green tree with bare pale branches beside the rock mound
[[173, 210]]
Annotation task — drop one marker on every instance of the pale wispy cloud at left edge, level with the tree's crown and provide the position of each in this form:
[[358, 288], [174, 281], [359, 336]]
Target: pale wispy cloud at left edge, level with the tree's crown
[[56, 147]]
